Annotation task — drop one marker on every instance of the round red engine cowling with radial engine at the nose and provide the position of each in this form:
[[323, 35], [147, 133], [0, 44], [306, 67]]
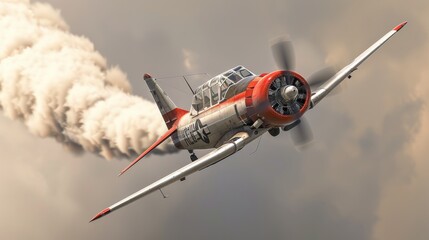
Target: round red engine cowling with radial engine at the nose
[[277, 98]]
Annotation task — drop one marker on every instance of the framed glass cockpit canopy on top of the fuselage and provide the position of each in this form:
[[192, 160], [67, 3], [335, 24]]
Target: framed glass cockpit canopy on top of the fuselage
[[213, 91]]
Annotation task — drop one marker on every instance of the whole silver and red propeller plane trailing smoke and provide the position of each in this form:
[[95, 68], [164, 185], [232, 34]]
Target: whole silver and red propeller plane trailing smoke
[[234, 108]]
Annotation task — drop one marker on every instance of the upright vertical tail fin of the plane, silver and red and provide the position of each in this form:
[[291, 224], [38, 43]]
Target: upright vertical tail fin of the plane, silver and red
[[170, 112]]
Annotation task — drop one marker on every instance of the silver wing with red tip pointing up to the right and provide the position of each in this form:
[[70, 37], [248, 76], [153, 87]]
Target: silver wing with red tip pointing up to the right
[[326, 88]]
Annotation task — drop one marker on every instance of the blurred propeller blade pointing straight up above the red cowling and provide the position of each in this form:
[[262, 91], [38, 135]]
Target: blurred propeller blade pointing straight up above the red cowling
[[284, 54]]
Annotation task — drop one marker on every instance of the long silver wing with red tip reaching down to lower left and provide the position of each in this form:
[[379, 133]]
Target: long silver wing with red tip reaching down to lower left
[[233, 145]]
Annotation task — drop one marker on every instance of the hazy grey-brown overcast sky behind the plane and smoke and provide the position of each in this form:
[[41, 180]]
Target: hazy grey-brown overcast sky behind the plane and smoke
[[365, 177]]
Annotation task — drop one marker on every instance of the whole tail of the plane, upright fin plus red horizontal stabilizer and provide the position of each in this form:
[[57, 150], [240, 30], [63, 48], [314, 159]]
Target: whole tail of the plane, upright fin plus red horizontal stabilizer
[[169, 111]]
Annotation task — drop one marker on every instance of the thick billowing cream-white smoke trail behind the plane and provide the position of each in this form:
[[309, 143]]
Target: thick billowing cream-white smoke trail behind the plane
[[61, 87]]
